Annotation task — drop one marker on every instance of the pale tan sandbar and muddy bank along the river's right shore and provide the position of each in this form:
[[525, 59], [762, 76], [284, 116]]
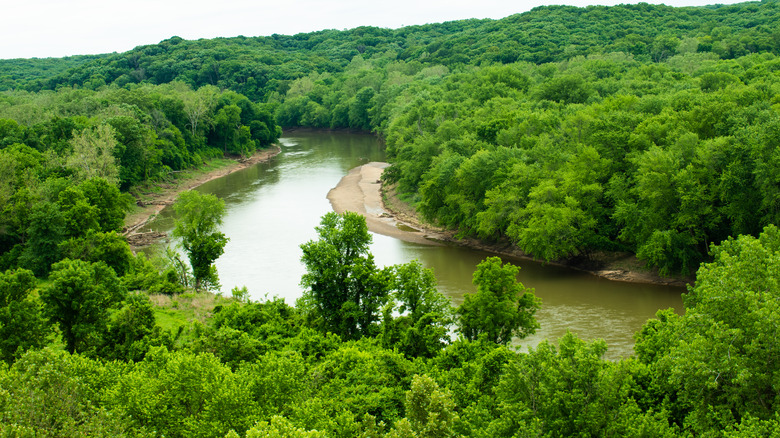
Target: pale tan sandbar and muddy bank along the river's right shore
[[361, 191]]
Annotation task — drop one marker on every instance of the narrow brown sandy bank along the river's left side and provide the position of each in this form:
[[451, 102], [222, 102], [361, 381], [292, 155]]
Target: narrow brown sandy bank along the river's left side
[[153, 203]]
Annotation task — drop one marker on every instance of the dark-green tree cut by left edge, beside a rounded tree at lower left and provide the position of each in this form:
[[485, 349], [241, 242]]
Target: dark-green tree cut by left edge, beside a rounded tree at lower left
[[22, 325]]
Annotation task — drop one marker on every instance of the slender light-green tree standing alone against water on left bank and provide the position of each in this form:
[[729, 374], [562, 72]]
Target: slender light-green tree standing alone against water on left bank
[[199, 216]]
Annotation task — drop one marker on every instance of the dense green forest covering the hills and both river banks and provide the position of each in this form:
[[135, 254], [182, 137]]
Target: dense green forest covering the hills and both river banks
[[563, 131]]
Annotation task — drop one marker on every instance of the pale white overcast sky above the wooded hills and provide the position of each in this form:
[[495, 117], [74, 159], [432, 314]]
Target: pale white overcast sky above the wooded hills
[[57, 28]]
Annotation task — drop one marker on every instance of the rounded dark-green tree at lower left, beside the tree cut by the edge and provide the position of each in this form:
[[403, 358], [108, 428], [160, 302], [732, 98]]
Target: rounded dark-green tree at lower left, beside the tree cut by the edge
[[79, 299]]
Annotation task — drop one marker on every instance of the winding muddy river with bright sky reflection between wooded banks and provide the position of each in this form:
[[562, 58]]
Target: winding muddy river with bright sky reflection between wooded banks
[[273, 207]]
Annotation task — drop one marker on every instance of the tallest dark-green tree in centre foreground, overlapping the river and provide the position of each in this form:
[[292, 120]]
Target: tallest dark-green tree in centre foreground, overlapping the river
[[344, 289]]
